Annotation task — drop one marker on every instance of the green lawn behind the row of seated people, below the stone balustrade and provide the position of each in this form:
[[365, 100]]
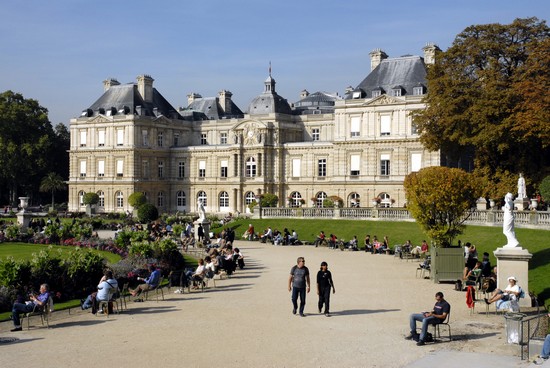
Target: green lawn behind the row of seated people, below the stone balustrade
[[486, 239]]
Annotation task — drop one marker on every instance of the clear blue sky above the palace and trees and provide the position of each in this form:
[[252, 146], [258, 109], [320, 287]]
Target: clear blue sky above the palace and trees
[[59, 52]]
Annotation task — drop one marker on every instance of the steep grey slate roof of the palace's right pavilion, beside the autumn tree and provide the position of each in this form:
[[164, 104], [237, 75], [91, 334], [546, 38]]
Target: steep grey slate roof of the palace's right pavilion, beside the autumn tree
[[406, 72]]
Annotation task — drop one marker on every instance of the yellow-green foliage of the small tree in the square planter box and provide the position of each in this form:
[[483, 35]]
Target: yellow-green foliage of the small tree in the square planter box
[[439, 198]]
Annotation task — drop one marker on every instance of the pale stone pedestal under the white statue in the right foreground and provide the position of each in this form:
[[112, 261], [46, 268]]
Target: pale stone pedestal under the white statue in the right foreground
[[514, 262]]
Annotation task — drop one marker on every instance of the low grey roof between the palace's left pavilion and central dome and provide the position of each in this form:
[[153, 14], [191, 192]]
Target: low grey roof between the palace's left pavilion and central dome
[[208, 108]]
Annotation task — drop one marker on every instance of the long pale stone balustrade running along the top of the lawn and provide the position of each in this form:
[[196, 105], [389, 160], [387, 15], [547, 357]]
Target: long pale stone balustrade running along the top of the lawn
[[526, 219]]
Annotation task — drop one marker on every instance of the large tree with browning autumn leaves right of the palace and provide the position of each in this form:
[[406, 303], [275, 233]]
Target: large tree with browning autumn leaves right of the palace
[[475, 98]]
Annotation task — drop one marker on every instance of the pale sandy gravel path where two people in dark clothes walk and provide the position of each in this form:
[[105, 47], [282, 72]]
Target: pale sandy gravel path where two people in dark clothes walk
[[247, 322]]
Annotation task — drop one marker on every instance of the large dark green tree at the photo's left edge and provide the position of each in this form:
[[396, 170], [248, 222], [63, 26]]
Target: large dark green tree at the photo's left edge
[[26, 144]]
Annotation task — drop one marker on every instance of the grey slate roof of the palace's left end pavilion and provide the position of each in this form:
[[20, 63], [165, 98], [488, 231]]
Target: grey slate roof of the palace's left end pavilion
[[126, 99]]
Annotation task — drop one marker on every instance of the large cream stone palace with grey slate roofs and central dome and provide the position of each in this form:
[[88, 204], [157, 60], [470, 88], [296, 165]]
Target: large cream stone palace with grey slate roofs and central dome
[[357, 147]]
